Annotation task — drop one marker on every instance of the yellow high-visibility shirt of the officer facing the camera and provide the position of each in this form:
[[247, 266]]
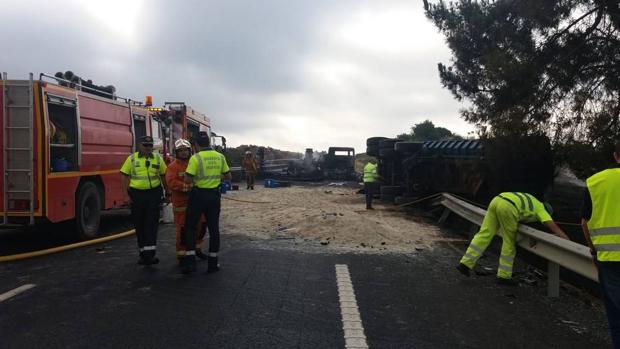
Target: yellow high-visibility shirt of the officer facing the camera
[[144, 172]]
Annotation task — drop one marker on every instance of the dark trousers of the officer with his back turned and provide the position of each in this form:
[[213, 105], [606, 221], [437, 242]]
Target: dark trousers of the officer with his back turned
[[207, 202]]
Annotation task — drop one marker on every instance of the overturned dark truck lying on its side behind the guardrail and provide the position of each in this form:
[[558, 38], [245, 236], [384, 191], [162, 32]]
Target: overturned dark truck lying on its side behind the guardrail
[[475, 169]]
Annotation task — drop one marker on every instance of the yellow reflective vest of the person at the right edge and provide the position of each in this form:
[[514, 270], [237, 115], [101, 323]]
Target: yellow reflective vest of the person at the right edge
[[604, 225]]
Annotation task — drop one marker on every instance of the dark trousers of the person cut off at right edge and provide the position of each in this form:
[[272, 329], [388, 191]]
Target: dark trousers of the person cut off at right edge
[[609, 279]]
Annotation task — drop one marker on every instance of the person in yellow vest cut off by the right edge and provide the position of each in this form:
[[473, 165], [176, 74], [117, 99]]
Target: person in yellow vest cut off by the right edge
[[601, 227]]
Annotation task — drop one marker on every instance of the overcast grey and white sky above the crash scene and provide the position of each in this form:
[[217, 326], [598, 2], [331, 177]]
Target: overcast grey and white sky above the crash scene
[[290, 74]]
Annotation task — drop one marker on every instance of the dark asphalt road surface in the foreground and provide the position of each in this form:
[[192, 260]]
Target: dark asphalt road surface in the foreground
[[280, 294]]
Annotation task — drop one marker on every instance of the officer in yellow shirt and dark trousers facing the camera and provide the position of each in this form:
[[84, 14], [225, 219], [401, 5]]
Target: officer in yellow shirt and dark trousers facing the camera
[[142, 180]]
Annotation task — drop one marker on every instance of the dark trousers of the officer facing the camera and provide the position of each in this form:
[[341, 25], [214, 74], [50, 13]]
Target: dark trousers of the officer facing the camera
[[145, 214]]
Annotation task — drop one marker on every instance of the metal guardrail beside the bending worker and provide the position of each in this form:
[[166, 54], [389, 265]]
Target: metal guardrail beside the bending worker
[[557, 251]]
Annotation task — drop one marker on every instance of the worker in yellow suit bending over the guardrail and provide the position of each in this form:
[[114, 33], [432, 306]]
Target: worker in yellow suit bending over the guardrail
[[506, 211]]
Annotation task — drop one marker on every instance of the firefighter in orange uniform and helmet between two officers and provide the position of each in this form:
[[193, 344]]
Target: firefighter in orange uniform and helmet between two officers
[[175, 179]]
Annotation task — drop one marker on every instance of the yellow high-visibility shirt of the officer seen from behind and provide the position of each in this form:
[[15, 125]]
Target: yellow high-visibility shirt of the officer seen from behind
[[207, 167]]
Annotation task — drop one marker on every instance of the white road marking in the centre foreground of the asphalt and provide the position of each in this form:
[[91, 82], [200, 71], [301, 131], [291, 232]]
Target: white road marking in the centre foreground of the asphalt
[[352, 326]]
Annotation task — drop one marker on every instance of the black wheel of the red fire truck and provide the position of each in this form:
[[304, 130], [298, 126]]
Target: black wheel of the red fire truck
[[87, 211]]
